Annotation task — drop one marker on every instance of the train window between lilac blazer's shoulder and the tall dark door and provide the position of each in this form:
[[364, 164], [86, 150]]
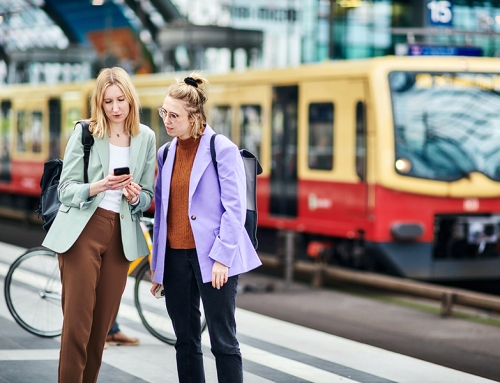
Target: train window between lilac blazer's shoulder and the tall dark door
[[250, 128]]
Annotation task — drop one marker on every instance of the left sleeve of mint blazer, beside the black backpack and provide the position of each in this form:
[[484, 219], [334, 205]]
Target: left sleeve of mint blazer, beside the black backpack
[[72, 190]]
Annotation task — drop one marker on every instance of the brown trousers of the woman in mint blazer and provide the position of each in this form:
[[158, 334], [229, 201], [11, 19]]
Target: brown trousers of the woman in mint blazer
[[93, 275]]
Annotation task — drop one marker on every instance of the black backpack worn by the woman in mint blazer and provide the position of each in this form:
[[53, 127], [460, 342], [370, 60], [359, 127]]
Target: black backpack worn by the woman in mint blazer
[[52, 169]]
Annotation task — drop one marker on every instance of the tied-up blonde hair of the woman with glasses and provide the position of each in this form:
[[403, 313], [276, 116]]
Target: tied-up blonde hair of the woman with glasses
[[191, 91]]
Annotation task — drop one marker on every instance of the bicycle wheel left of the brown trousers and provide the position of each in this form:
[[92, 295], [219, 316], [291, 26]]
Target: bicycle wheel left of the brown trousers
[[32, 290]]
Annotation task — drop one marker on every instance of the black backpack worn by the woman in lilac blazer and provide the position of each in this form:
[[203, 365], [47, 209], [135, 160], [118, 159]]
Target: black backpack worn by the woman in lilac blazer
[[252, 170]]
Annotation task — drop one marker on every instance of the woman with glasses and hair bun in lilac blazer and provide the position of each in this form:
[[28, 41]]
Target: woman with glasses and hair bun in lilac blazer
[[200, 245]]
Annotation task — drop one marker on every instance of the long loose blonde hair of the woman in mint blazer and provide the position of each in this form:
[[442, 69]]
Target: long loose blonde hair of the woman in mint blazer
[[98, 123]]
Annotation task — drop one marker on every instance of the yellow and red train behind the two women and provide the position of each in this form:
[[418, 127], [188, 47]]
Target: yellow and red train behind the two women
[[387, 161]]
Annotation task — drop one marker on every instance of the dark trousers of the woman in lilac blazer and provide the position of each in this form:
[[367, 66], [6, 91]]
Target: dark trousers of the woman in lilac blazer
[[183, 288]]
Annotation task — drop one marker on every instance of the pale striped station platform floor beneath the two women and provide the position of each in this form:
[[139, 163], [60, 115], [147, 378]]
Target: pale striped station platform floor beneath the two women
[[273, 351]]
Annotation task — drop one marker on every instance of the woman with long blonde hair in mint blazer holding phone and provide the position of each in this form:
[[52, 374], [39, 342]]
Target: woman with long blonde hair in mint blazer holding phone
[[97, 232]]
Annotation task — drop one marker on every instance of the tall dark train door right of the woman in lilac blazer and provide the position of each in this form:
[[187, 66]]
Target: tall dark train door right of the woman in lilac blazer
[[283, 177]]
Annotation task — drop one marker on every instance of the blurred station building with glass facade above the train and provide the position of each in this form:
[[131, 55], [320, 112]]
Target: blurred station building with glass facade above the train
[[54, 41]]
